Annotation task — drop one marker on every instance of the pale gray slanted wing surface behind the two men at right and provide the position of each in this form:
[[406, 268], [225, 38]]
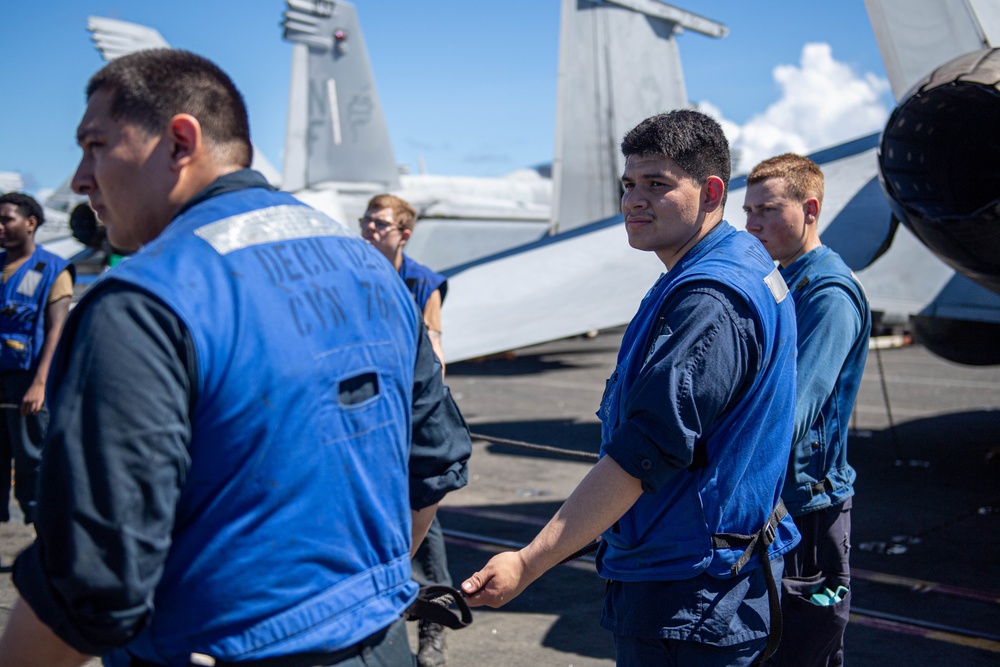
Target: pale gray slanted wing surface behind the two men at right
[[590, 278]]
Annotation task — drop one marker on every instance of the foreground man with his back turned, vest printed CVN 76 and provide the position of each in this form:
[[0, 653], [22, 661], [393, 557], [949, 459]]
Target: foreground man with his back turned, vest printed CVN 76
[[249, 422]]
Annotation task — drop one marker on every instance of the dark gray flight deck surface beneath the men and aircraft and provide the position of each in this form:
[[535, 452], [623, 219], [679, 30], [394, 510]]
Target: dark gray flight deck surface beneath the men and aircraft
[[926, 519]]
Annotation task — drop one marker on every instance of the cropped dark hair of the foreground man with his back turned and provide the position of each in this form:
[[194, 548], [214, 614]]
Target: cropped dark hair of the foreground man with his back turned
[[150, 87]]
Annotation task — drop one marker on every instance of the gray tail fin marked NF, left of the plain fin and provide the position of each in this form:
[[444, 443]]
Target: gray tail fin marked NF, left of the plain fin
[[336, 131]]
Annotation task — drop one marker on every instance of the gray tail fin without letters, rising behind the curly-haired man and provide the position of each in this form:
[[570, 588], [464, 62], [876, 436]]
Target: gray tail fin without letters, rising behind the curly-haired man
[[618, 64]]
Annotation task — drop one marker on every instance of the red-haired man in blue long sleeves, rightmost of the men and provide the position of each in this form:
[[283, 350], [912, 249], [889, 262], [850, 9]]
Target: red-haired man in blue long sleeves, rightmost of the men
[[784, 198]]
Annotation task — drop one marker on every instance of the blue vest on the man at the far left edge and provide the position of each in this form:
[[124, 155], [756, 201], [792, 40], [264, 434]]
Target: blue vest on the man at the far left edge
[[22, 312]]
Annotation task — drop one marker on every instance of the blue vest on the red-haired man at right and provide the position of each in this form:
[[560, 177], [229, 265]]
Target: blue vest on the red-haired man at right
[[819, 475]]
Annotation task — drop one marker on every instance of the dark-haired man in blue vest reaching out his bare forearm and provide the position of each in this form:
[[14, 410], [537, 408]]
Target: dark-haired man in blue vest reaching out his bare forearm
[[696, 427]]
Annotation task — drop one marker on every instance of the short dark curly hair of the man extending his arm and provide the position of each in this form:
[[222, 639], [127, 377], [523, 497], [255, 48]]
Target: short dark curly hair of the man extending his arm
[[693, 140]]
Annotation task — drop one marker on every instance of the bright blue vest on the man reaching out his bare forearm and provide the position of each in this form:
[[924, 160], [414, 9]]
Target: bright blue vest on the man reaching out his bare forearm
[[667, 536]]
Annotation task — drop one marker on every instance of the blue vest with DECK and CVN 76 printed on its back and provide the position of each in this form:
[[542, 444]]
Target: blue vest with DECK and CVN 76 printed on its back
[[292, 530]]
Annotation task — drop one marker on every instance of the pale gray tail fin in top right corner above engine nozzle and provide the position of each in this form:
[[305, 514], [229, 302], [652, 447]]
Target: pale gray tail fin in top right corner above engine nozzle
[[917, 36]]
